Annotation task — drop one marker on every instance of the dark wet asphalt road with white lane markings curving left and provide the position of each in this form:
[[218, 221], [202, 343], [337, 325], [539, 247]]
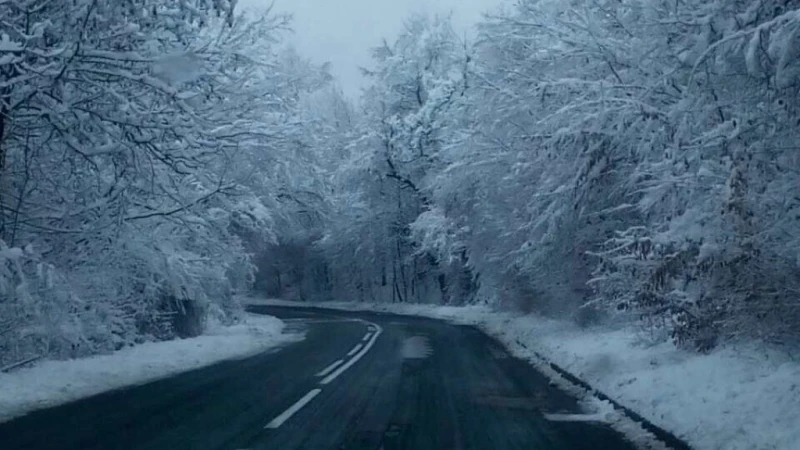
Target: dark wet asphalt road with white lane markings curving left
[[358, 381]]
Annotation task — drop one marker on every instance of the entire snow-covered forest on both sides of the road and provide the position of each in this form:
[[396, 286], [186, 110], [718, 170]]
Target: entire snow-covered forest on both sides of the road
[[605, 160]]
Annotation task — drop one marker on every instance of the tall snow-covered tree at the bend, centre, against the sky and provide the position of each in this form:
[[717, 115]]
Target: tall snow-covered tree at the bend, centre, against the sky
[[386, 184]]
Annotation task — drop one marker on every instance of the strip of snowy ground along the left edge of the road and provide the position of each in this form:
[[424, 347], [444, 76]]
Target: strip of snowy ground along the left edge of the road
[[52, 383]]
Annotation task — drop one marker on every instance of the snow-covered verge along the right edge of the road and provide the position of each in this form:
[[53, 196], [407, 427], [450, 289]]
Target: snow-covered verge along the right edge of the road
[[735, 398]]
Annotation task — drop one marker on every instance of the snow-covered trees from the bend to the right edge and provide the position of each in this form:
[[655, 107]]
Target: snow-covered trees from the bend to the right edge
[[581, 159]]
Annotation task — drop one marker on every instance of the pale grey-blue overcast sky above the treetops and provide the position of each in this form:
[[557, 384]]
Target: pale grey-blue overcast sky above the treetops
[[342, 31]]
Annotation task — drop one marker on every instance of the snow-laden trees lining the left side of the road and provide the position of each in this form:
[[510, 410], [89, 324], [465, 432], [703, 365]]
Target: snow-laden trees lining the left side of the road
[[144, 149]]
